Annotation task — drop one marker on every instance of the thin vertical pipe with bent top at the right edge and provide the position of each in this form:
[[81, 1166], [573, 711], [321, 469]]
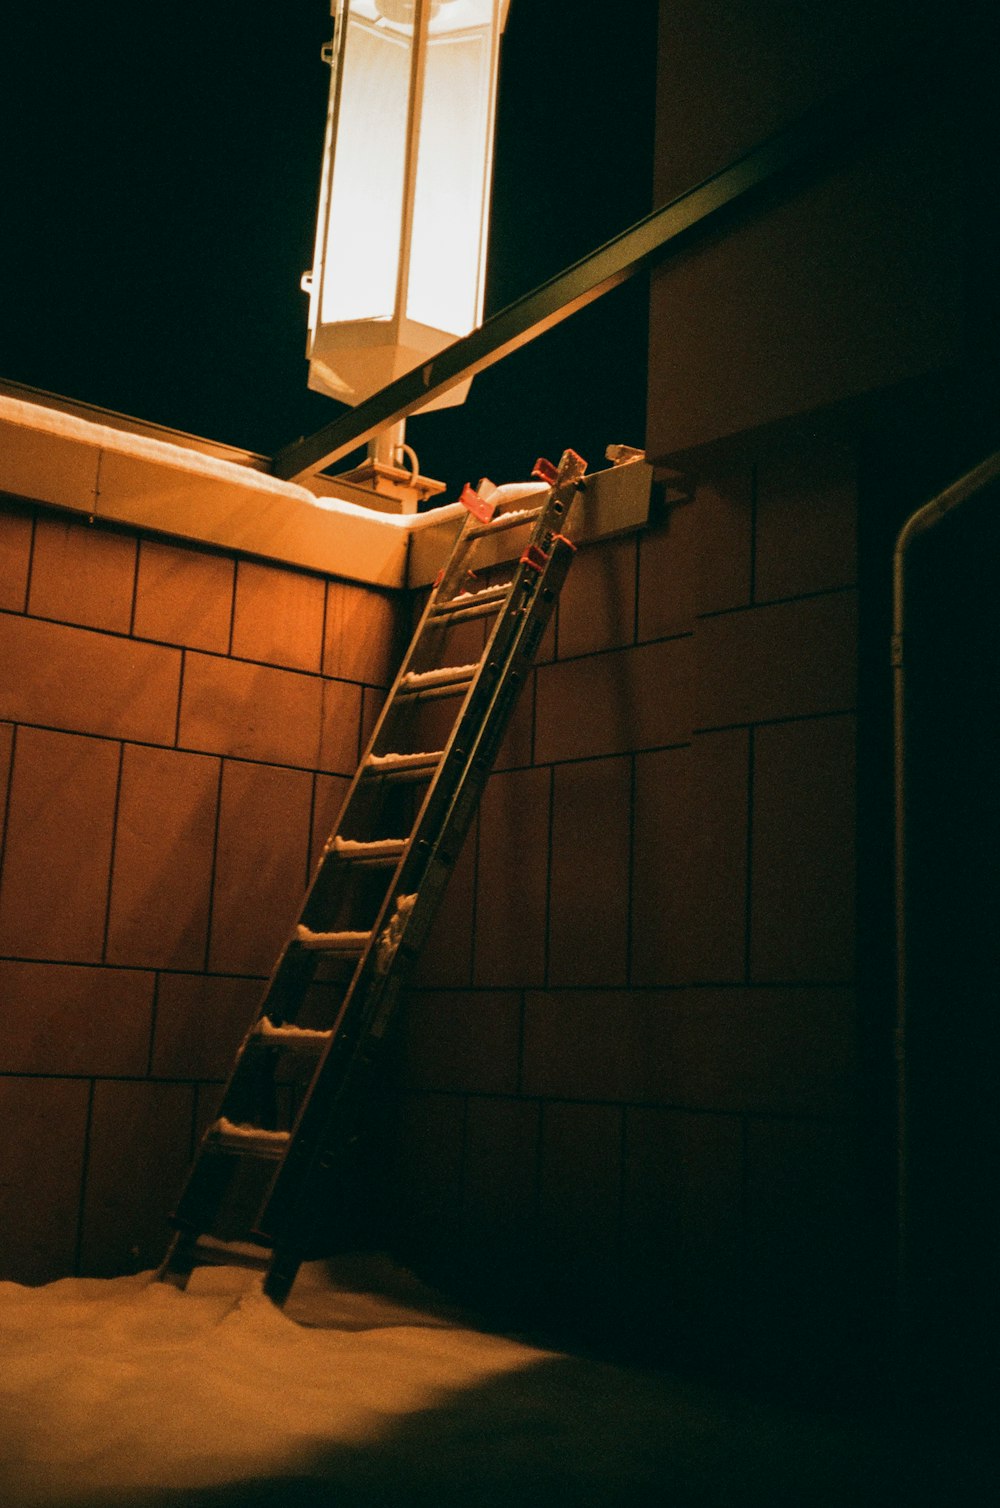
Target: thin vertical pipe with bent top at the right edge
[[919, 523]]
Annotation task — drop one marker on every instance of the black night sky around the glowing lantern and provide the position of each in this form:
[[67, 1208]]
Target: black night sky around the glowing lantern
[[159, 180]]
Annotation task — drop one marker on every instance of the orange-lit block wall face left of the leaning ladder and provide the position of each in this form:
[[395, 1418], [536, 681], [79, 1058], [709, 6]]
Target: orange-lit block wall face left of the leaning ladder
[[177, 729]]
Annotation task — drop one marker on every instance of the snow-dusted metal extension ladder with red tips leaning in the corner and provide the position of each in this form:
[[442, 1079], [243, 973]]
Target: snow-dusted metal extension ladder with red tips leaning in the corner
[[257, 1194]]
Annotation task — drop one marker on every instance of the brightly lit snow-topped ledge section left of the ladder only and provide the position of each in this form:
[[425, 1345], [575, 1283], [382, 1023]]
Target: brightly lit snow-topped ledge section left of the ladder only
[[90, 468]]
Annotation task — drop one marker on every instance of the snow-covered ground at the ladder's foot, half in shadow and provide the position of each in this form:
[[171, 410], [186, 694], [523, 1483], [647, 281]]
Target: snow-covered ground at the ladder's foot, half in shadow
[[366, 1393]]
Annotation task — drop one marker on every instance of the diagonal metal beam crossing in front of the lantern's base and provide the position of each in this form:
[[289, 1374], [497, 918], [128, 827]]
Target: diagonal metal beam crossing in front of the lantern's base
[[800, 152]]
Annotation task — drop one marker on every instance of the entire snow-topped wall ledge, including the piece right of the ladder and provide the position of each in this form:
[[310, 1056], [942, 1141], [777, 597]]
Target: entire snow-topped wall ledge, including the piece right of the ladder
[[54, 456]]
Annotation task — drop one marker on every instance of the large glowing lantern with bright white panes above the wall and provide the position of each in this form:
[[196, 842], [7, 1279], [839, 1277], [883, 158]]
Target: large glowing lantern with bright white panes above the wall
[[403, 201]]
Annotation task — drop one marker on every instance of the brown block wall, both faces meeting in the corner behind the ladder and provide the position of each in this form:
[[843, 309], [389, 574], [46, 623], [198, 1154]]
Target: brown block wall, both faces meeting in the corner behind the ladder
[[630, 1088]]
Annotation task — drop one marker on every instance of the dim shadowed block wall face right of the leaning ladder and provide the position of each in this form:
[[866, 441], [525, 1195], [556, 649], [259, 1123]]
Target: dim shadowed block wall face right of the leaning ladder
[[631, 1062]]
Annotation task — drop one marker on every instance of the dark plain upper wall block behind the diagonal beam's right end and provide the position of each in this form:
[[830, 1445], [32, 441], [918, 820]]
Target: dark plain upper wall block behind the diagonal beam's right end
[[856, 281]]
